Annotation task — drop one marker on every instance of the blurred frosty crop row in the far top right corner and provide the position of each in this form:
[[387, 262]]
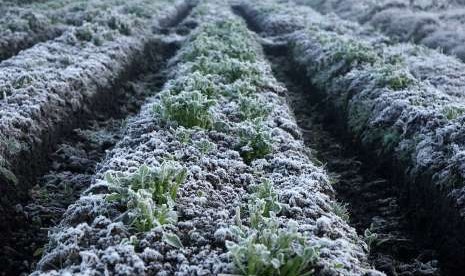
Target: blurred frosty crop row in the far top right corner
[[435, 24]]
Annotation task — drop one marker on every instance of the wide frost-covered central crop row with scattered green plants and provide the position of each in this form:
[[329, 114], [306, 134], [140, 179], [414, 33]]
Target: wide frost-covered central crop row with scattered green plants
[[211, 177]]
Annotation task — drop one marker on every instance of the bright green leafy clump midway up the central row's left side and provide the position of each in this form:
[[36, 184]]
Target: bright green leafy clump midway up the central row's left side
[[188, 109]]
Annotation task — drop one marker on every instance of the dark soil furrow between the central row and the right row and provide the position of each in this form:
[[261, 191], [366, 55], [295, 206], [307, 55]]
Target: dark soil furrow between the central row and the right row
[[372, 199]]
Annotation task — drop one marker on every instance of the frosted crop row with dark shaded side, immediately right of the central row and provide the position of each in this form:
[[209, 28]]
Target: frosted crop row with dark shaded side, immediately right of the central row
[[413, 125]]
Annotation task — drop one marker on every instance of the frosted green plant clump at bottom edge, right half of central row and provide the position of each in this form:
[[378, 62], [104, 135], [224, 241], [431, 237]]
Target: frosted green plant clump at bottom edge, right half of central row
[[264, 246]]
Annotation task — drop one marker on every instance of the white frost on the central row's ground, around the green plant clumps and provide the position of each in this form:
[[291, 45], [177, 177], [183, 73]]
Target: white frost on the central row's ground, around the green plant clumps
[[88, 240]]
